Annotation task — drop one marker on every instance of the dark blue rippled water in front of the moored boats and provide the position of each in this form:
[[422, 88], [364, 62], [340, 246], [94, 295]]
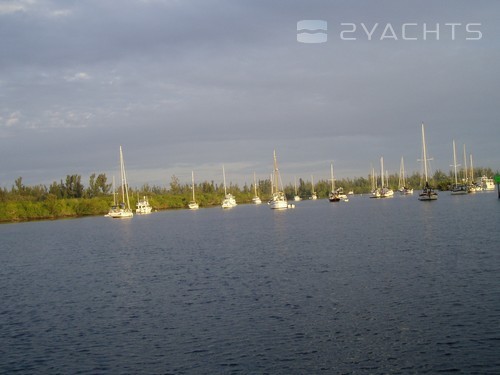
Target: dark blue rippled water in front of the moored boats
[[368, 286]]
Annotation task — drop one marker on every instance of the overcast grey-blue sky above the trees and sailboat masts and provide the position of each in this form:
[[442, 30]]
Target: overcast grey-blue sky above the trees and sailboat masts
[[194, 85]]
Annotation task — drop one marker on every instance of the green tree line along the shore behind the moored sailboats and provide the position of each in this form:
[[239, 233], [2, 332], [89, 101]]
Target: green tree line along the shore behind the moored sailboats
[[70, 197]]
